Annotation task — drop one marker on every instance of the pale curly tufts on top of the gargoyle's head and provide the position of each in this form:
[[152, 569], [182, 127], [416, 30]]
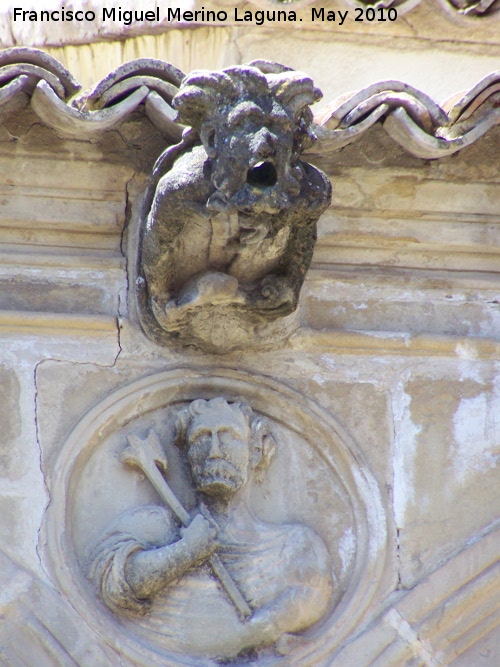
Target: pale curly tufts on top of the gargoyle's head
[[204, 94]]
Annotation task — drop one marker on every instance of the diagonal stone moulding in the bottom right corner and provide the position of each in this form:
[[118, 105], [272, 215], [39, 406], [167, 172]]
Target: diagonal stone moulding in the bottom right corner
[[439, 619]]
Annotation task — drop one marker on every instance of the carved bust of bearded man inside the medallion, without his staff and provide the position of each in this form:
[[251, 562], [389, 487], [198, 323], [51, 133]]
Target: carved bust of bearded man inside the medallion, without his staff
[[156, 575]]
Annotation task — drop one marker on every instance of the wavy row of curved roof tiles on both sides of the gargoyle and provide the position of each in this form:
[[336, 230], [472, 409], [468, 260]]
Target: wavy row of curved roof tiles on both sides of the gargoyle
[[417, 123]]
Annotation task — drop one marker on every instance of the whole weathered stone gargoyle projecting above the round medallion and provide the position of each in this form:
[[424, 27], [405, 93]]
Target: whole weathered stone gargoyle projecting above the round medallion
[[230, 215]]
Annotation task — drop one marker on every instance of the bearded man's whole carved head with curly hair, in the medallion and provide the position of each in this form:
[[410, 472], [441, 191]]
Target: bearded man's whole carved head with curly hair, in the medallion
[[225, 442]]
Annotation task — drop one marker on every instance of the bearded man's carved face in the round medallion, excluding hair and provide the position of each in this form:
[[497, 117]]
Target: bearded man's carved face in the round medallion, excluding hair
[[218, 451]]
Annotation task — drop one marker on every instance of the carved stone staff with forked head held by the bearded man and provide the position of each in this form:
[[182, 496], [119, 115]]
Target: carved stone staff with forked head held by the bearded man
[[148, 456]]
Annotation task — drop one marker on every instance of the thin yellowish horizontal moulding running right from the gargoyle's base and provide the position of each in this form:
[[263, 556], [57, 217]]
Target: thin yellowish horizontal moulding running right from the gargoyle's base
[[384, 343]]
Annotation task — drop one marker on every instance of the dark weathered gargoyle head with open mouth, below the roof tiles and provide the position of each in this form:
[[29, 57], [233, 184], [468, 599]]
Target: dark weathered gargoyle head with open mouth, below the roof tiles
[[253, 121]]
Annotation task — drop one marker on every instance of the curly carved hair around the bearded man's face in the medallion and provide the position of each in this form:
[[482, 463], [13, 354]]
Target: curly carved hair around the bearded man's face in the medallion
[[261, 439]]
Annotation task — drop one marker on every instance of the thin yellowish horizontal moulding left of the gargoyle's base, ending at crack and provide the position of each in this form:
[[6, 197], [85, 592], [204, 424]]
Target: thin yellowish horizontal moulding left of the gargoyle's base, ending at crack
[[55, 324]]
